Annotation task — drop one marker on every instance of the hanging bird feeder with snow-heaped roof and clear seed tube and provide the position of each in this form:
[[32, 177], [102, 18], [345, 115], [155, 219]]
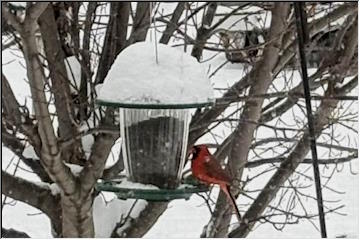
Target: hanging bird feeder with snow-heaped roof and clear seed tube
[[154, 98]]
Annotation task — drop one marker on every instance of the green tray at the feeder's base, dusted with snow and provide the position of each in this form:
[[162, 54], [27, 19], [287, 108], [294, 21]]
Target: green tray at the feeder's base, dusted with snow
[[184, 191]]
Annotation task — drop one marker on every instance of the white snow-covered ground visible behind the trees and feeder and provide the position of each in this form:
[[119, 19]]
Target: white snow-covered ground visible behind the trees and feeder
[[186, 218]]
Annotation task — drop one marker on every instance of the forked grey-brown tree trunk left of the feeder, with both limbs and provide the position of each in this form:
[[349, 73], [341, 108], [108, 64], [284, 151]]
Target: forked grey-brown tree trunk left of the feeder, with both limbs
[[76, 198]]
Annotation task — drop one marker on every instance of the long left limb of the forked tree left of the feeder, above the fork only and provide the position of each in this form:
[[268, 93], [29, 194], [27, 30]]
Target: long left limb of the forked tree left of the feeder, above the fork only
[[50, 155]]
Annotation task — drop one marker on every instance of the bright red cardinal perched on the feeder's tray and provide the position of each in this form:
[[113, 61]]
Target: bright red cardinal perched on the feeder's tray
[[207, 169]]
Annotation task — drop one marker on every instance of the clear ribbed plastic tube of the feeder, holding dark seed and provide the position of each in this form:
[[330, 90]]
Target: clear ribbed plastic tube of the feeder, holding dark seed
[[154, 144]]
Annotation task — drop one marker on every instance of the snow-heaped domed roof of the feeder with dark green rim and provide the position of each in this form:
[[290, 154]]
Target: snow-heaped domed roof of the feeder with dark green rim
[[136, 80]]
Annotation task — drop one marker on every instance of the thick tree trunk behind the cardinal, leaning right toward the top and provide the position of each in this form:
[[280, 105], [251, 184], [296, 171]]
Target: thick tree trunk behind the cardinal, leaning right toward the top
[[261, 79]]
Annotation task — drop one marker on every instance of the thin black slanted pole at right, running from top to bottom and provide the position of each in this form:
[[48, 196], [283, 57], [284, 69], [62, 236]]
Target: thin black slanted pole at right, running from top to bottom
[[301, 25]]
